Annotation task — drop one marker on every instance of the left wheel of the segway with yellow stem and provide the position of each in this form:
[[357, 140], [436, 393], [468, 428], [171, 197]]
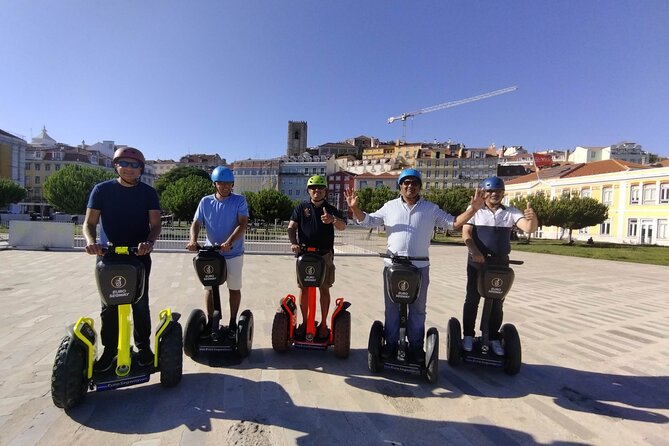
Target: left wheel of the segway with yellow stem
[[68, 380]]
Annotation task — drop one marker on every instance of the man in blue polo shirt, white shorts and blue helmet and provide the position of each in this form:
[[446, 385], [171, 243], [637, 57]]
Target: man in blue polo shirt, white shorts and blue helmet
[[225, 216]]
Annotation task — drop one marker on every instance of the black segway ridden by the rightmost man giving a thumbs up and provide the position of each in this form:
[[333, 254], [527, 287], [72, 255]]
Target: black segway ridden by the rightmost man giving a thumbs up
[[494, 283]]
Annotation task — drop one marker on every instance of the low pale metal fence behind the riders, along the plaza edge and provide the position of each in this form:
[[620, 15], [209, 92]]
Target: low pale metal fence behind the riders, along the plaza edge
[[355, 240]]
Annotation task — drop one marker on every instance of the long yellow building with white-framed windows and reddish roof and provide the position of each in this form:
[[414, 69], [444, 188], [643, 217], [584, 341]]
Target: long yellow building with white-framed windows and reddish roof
[[637, 197]]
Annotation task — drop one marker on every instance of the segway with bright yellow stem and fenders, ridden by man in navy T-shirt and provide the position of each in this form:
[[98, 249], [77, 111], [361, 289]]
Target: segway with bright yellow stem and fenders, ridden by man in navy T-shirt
[[120, 281]]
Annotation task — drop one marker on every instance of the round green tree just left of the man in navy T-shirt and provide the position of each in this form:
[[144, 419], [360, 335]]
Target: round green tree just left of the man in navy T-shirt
[[68, 189]]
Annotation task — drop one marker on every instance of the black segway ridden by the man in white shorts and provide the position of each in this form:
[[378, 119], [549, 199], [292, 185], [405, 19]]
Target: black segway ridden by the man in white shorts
[[209, 336]]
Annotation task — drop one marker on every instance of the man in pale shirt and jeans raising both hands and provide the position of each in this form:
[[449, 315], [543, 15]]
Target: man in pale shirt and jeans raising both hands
[[409, 221]]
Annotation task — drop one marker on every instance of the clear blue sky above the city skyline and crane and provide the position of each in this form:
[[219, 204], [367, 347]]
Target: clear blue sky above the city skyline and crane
[[212, 76]]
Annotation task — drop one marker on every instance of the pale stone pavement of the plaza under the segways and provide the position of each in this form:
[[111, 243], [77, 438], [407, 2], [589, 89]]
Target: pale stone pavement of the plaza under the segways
[[595, 361]]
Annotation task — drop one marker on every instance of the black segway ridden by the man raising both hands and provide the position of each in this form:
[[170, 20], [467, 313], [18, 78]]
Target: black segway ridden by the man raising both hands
[[403, 281]]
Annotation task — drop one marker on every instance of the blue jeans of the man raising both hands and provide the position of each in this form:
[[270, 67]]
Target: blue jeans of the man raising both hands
[[416, 316]]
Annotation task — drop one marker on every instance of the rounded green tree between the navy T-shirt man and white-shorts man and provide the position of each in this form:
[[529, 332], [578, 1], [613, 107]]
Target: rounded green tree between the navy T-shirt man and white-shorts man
[[182, 197]]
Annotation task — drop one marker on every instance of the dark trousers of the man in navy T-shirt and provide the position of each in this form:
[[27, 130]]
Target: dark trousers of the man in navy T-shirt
[[141, 317]]
